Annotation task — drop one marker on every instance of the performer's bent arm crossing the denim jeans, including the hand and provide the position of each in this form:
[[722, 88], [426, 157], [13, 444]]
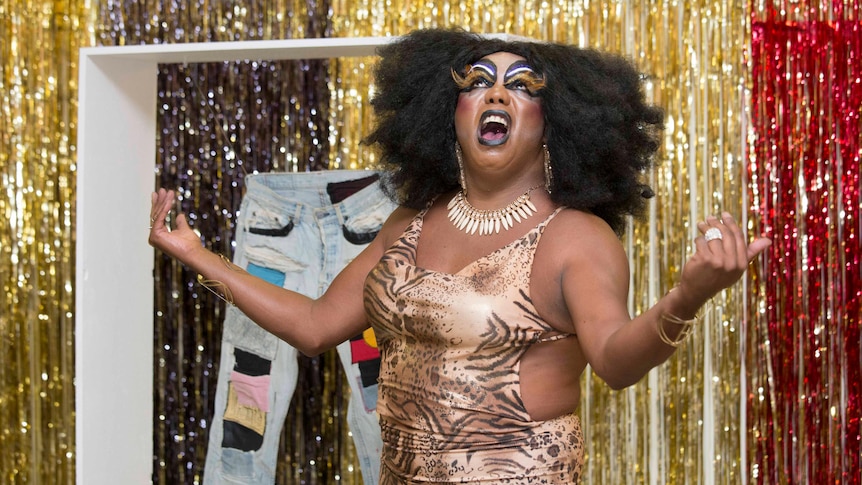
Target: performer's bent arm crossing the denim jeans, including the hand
[[310, 325]]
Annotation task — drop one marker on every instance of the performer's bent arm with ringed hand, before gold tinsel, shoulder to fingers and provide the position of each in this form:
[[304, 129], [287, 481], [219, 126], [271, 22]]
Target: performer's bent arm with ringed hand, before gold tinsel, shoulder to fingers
[[621, 350]]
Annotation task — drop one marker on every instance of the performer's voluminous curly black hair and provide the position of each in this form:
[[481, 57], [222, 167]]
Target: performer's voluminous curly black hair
[[601, 134]]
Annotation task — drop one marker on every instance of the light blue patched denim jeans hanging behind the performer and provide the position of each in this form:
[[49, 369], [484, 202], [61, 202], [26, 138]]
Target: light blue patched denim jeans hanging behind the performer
[[295, 230]]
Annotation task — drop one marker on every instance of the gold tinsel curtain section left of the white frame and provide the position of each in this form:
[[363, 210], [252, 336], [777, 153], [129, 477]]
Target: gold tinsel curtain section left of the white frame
[[38, 85]]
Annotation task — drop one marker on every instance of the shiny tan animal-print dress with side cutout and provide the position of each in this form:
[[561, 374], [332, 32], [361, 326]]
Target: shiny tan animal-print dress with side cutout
[[449, 397]]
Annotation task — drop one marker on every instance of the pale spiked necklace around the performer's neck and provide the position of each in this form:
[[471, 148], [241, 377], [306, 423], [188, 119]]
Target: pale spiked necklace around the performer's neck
[[469, 219]]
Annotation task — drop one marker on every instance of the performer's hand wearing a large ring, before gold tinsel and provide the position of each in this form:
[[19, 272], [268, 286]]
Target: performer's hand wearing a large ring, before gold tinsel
[[719, 262]]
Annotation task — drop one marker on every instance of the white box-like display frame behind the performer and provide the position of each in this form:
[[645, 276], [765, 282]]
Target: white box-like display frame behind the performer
[[114, 264]]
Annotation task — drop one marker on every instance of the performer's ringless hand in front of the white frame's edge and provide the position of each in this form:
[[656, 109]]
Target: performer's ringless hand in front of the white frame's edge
[[177, 243]]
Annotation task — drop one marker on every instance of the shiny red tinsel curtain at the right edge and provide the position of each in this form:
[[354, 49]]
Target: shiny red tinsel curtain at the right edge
[[807, 99]]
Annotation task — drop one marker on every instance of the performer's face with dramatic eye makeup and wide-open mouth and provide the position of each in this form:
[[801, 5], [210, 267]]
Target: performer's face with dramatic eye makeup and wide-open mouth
[[499, 117]]
